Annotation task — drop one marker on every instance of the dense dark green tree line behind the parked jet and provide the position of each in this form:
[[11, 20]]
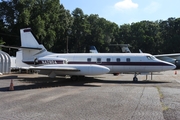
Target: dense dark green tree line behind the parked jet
[[61, 31]]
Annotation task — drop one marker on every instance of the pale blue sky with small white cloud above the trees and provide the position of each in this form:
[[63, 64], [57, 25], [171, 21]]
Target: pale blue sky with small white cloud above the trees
[[127, 11]]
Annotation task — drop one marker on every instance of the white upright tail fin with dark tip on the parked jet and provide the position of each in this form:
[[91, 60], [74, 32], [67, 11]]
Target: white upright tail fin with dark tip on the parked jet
[[31, 49]]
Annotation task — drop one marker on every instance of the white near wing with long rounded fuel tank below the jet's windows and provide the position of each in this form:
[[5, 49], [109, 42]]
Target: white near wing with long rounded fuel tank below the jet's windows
[[73, 69]]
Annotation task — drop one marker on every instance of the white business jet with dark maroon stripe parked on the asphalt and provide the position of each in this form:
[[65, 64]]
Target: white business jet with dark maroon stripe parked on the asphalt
[[80, 64]]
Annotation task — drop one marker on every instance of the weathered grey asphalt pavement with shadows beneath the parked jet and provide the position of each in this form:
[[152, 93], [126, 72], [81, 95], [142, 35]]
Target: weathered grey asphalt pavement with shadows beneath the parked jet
[[104, 97]]
